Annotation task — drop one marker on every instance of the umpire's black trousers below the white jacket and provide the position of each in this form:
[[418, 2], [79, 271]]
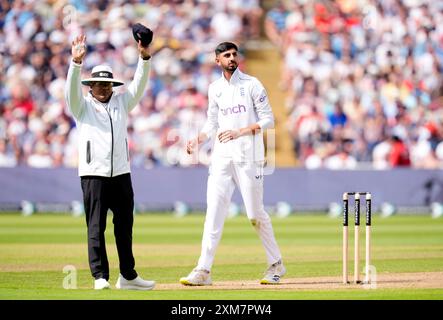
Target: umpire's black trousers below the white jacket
[[99, 195]]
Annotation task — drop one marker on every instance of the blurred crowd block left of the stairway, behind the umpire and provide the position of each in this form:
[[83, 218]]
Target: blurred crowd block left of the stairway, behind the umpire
[[35, 44]]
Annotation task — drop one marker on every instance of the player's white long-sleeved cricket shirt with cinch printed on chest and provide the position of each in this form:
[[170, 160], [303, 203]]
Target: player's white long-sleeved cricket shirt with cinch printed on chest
[[233, 105]]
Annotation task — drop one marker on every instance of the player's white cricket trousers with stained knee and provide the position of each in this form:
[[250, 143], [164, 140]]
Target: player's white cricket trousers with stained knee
[[224, 174]]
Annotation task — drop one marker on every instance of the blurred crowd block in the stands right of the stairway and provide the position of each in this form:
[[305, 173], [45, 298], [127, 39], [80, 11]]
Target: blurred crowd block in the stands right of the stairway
[[364, 81]]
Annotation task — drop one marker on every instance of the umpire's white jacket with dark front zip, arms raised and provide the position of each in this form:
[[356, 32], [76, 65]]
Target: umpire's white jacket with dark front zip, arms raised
[[103, 139]]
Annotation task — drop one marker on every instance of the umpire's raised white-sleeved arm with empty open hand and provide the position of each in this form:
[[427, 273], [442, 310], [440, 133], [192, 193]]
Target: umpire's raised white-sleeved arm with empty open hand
[[73, 91]]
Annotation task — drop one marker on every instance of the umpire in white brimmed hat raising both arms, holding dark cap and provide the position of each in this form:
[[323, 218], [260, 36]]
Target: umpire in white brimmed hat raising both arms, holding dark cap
[[104, 168]]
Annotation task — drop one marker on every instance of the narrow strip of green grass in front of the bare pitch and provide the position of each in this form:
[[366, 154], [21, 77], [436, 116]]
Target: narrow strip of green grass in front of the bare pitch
[[83, 294]]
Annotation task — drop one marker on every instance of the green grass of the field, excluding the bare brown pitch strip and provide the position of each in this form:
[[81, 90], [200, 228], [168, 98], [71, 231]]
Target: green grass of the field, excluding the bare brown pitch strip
[[35, 249]]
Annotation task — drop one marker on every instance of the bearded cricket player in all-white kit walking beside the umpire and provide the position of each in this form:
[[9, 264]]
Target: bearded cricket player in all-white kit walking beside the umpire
[[238, 113]]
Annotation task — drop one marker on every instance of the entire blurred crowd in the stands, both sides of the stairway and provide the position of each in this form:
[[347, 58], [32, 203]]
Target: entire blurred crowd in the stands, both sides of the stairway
[[362, 77]]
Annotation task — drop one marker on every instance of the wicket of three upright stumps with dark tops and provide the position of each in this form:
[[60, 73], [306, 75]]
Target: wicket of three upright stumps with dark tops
[[356, 234]]
